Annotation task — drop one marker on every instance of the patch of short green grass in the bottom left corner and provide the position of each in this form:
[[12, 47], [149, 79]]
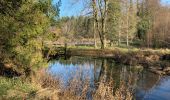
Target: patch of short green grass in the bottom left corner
[[15, 89]]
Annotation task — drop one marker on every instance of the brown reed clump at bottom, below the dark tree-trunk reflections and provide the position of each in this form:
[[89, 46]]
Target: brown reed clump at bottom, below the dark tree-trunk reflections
[[106, 91]]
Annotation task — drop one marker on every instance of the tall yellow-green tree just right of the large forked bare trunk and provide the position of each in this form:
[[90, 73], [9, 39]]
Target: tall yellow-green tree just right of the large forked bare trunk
[[114, 20]]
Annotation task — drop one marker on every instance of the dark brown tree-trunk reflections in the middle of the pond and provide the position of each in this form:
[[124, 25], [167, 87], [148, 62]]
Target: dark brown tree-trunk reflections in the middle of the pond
[[117, 74]]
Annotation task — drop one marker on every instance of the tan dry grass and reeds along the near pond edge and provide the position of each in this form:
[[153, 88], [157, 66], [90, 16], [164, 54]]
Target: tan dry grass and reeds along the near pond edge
[[51, 89]]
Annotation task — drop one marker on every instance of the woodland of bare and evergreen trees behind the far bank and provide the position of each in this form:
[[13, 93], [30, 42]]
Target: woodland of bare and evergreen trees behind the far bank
[[138, 23]]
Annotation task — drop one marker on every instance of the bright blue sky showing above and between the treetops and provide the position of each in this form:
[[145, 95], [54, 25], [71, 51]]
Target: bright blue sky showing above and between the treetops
[[75, 7]]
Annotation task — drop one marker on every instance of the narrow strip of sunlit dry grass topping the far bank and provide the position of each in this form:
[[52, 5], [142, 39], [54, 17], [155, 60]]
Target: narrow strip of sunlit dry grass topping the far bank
[[111, 52]]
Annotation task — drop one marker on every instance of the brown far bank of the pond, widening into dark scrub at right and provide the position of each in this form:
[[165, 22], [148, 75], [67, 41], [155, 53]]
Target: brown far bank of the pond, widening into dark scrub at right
[[158, 61]]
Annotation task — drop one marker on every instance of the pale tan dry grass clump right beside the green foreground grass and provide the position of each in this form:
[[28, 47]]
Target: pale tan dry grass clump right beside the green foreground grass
[[49, 86]]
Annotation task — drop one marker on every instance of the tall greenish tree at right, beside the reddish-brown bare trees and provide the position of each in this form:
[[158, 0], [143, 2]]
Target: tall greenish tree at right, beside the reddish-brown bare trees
[[147, 13]]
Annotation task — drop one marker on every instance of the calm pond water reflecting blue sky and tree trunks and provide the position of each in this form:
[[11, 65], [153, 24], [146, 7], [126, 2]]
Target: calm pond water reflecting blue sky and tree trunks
[[147, 86]]
